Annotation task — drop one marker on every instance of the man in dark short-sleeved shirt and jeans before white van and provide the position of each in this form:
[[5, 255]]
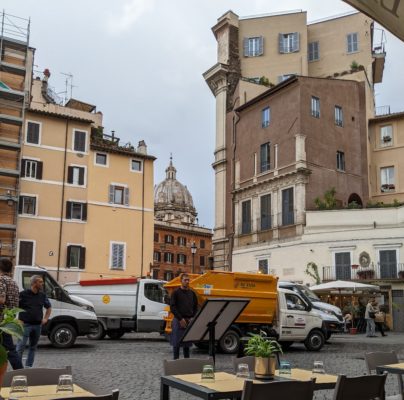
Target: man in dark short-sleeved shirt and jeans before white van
[[33, 301]]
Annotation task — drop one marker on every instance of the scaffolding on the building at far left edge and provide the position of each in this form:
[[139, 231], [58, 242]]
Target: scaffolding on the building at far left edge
[[15, 82]]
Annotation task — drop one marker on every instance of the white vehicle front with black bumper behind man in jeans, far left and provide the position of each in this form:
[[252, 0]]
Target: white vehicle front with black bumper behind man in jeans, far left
[[71, 316]]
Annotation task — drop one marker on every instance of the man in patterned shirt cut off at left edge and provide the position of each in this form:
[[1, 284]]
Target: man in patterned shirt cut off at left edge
[[9, 294]]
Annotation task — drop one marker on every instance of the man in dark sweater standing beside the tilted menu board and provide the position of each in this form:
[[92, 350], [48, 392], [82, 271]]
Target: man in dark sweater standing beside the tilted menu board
[[184, 305]]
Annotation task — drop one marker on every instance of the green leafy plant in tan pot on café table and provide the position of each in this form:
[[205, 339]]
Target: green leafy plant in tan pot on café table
[[264, 350]]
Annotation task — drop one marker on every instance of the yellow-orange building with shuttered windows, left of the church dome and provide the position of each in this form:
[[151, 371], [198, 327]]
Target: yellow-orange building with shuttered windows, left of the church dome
[[86, 202]]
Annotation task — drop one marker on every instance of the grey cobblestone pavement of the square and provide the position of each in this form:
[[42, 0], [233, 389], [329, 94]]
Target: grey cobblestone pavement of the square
[[134, 363]]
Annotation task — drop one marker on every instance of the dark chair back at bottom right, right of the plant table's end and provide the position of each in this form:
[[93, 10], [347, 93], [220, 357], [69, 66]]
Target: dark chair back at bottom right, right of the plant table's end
[[366, 387]]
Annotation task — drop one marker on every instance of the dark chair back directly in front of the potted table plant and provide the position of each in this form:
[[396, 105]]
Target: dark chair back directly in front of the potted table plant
[[278, 390]]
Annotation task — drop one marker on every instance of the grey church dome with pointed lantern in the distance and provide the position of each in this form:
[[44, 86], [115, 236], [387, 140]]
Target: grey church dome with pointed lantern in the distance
[[172, 199]]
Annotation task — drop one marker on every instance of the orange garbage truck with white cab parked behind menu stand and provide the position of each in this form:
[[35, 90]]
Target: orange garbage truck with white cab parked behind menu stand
[[280, 313]]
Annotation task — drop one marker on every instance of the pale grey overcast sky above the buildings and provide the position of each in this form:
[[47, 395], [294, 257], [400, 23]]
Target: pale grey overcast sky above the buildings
[[141, 63]]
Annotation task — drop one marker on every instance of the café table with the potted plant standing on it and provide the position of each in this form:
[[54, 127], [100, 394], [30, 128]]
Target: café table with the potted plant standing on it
[[228, 386]]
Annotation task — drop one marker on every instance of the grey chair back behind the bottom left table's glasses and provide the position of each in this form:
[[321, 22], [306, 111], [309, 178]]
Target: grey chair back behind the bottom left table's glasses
[[37, 376]]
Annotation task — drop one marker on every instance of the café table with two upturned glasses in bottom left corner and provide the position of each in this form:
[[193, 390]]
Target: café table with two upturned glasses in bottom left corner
[[44, 392]]
